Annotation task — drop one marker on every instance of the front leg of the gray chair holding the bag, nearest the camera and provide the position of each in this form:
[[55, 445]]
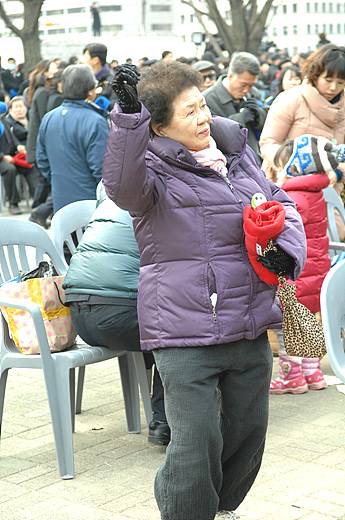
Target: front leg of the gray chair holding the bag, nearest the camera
[[58, 392]]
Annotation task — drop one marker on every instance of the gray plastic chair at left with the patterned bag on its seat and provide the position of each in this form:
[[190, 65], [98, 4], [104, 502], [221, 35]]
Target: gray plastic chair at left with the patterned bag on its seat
[[22, 246]]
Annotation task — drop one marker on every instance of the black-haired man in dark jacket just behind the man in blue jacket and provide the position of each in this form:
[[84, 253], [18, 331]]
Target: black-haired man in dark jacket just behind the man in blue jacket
[[95, 55]]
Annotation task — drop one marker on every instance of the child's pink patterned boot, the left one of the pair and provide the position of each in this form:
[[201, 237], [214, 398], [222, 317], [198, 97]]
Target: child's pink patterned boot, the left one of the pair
[[291, 379]]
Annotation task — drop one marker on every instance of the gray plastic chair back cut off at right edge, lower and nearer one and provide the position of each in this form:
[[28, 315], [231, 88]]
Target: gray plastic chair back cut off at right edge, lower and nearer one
[[333, 317]]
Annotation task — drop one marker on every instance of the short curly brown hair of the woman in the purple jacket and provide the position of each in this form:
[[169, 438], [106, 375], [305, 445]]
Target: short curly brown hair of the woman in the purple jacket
[[160, 85]]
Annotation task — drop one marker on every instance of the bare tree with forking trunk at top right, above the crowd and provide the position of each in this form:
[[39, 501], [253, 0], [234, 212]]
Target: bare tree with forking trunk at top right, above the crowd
[[247, 26]]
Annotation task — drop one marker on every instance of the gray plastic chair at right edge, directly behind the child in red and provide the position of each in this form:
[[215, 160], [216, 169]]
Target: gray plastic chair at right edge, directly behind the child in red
[[333, 202]]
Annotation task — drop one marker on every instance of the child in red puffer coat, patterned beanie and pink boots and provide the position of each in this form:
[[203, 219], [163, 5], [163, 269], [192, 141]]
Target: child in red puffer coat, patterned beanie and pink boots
[[302, 164]]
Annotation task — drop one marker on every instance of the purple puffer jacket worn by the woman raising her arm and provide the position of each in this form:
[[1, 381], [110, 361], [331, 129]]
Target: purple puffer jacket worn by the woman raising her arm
[[189, 228]]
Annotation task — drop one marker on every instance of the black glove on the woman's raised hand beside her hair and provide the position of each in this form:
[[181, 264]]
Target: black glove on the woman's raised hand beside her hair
[[124, 85]]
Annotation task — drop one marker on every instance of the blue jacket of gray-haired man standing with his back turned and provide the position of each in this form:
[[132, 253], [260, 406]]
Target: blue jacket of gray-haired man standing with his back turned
[[70, 148]]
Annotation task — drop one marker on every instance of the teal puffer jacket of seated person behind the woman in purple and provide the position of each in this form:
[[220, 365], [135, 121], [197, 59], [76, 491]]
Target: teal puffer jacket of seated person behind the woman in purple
[[106, 262]]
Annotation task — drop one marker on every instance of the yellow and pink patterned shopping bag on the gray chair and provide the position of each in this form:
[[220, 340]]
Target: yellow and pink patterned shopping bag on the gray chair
[[48, 294]]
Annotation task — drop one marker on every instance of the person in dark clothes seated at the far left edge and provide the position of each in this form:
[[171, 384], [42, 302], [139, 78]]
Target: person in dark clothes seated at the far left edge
[[9, 147]]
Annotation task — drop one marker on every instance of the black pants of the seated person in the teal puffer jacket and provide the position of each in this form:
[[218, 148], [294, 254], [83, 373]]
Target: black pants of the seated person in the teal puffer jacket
[[116, 327]]
